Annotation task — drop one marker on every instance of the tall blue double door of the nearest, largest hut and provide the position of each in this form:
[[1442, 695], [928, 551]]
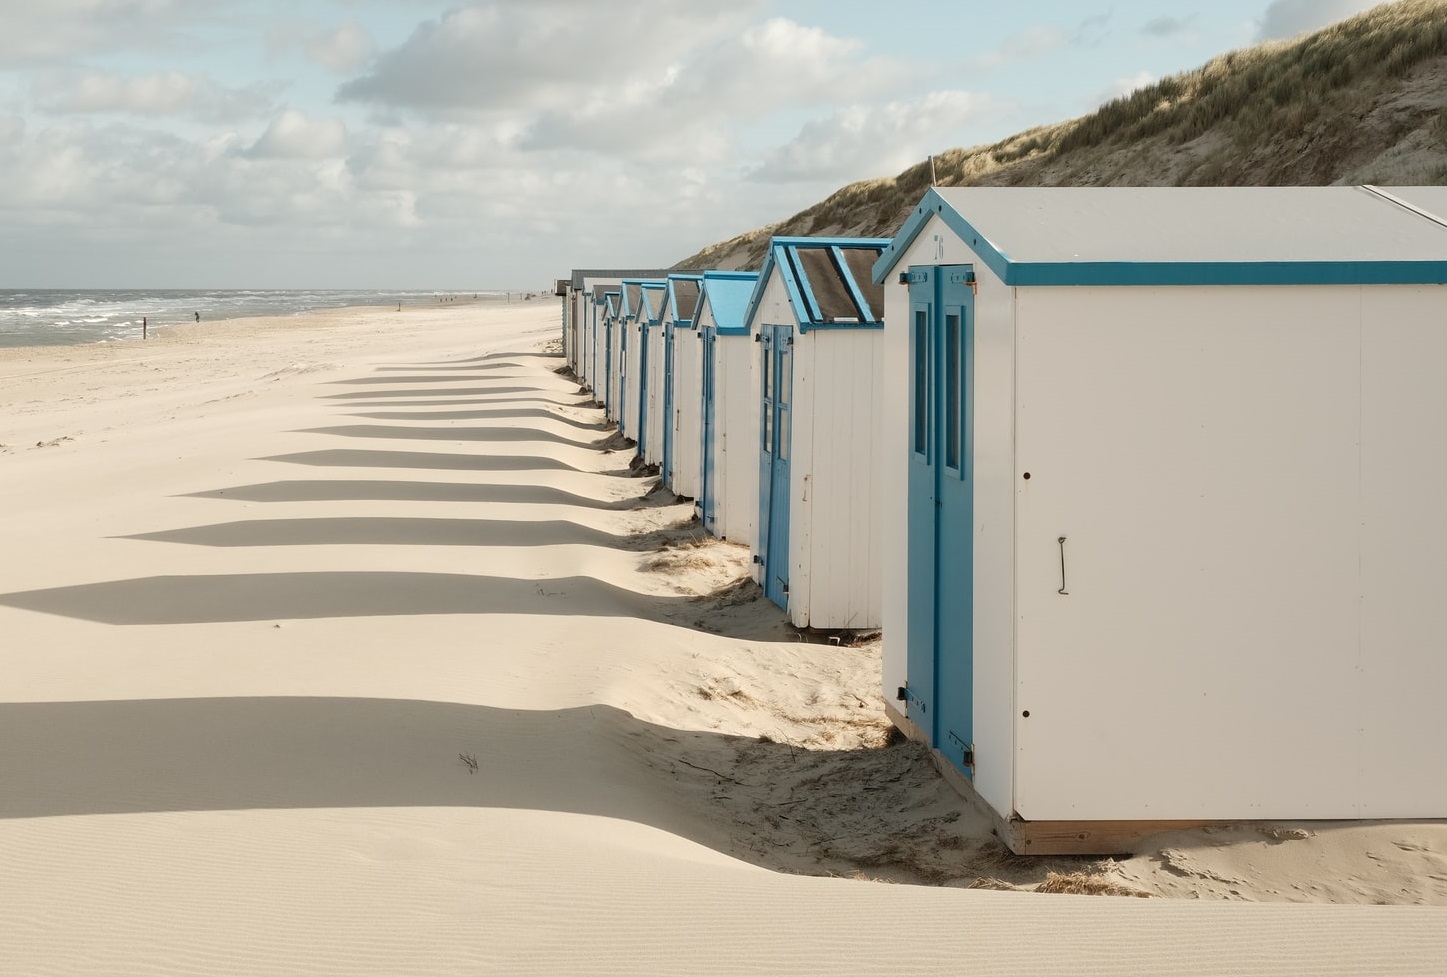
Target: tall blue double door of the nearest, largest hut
[[940, 691]]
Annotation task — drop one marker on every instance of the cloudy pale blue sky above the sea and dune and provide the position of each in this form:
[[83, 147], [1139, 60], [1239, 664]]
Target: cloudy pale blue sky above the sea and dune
[[500, 144]]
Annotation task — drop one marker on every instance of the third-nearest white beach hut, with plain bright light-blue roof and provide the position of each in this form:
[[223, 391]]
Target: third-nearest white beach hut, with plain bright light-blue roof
[[729, 491]]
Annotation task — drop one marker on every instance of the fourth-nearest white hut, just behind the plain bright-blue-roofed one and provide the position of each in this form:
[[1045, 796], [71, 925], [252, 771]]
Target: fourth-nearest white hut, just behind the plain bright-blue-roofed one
[[682, 433]]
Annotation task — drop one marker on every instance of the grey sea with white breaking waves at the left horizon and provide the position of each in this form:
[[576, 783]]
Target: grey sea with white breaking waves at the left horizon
[[66, 318]]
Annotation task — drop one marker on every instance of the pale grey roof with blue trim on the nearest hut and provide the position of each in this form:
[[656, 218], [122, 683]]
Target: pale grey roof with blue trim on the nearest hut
[[1192, 235]]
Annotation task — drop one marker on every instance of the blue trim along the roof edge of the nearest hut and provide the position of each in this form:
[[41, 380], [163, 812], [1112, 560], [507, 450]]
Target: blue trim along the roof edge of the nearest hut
[[1234, 273]]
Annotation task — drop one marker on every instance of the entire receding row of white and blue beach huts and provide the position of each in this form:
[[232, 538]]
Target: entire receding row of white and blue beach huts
[[1147, 487]]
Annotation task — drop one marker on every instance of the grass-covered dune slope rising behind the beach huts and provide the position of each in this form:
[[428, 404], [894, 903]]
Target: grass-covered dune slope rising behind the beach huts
[[1315, 111]]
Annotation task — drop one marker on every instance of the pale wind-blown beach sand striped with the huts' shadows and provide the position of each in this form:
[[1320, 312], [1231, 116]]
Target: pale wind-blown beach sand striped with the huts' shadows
[[266, 585]]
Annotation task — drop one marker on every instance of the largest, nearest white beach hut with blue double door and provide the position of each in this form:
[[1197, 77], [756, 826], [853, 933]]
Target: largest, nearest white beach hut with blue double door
[[1163, 513]]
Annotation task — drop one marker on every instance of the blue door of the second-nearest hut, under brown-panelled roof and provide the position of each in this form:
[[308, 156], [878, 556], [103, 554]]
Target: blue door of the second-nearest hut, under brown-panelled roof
[[773, 490]]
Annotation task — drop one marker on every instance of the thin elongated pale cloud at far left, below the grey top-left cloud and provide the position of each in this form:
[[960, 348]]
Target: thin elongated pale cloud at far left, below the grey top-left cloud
[[170, 93]]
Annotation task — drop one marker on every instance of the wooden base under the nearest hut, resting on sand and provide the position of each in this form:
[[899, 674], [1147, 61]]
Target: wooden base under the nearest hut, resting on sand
[[1044, 837]]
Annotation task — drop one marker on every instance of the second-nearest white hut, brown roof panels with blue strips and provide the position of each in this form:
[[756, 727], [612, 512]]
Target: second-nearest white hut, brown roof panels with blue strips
[[818, 321]]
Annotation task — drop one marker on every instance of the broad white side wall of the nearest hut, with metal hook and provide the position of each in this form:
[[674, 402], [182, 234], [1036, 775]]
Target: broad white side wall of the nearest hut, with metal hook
[[1251, 549]]
